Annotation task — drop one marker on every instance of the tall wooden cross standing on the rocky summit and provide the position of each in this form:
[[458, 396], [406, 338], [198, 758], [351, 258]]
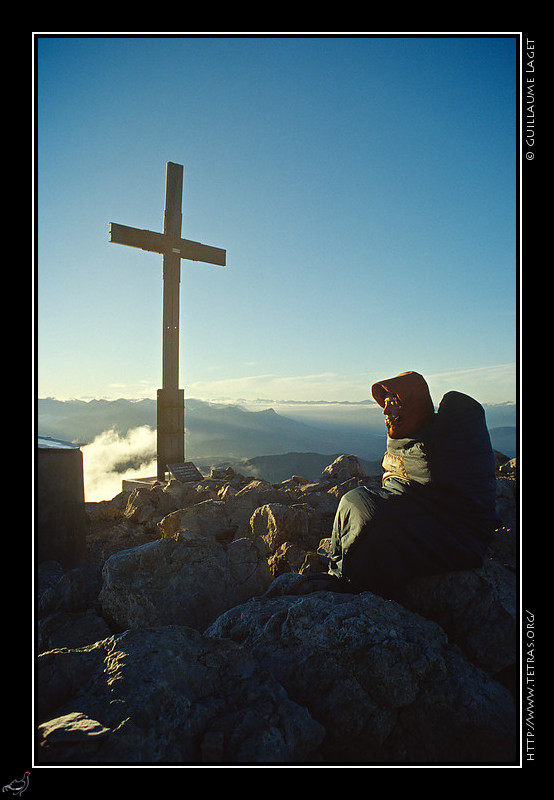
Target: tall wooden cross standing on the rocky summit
[[170, 401]]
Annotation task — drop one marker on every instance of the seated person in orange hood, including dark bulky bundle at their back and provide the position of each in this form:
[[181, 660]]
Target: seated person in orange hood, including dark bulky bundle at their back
[[435, 511]]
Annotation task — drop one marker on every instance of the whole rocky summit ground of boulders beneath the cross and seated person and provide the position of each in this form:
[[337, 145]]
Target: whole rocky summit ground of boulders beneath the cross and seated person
[[185, 638]]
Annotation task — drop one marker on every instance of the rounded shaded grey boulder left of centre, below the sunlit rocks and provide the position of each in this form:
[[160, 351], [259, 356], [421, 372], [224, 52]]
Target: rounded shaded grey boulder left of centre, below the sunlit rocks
[[188, 580]]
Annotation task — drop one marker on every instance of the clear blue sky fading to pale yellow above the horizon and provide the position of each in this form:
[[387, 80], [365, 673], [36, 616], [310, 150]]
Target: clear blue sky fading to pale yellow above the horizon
[[363, 187]]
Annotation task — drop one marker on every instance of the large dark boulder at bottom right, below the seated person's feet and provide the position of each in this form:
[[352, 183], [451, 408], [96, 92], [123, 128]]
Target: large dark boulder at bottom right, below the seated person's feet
[[383, 681]]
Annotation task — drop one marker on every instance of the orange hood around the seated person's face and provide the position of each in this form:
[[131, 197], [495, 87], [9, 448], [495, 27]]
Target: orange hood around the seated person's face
[[415, 400]]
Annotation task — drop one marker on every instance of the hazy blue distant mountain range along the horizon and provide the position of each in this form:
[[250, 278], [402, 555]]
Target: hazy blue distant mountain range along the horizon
[[223, 433]]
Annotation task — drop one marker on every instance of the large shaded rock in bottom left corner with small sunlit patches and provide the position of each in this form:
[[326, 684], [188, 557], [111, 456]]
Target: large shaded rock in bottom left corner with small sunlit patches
[[167, 696]]
